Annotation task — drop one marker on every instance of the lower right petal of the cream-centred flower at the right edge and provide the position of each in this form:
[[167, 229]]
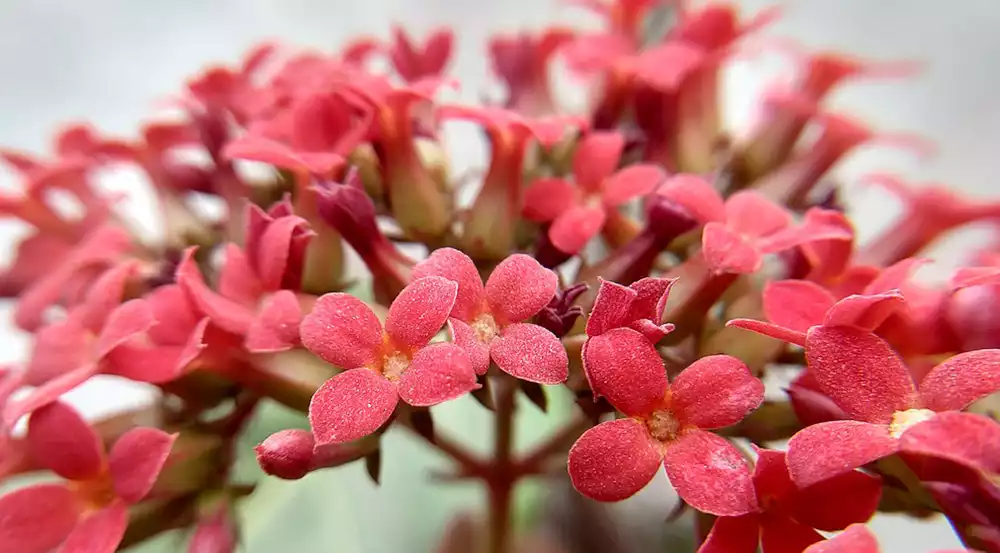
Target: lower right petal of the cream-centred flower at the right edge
[[966, 438]]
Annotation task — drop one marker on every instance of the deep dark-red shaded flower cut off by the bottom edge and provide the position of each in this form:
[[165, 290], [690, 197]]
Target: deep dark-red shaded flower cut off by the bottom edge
[[787, 516]]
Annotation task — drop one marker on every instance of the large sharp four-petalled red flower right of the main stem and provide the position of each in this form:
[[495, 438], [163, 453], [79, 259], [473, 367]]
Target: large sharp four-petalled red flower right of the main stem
[[665, 423]]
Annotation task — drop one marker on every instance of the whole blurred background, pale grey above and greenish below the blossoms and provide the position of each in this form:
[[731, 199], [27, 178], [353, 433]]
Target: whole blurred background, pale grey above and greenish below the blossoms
[[112, 62]]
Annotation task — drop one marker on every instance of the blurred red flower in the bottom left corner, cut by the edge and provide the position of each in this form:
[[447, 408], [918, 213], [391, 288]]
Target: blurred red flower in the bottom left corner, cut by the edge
[[90, 512]]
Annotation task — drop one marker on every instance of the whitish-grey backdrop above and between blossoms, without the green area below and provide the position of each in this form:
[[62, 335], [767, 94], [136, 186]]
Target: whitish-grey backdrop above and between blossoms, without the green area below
[[109, 61]]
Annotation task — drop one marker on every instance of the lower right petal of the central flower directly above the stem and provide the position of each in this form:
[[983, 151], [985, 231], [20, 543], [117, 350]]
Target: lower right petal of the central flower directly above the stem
[[531, 353]]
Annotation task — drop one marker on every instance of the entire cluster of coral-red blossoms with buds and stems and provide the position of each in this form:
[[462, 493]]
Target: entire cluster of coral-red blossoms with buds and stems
[[655, 263]]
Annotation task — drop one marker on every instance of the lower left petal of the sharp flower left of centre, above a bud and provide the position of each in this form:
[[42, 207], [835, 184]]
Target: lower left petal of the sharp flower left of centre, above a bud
[[351, 405]]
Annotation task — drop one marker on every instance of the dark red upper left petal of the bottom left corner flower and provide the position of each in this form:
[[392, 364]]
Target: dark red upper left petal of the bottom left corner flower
[[60, 440]]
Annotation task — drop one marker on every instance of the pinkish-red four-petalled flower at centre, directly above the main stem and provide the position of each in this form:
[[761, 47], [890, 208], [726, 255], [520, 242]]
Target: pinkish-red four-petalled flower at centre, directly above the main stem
[[489, 322]]
